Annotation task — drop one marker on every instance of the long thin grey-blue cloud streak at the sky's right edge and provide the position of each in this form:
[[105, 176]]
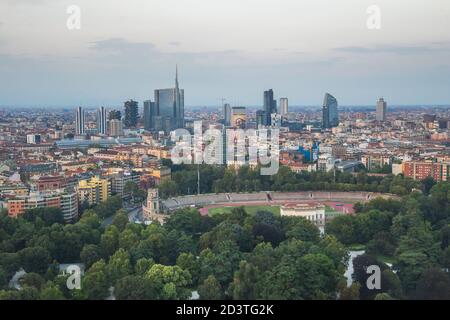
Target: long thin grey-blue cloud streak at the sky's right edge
[[411, 49]]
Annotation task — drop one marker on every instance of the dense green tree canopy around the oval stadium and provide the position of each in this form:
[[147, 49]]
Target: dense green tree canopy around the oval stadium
[[236, 255]]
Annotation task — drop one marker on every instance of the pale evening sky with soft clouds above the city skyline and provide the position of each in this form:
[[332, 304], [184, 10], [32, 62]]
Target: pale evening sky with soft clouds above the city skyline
[[233, 49]]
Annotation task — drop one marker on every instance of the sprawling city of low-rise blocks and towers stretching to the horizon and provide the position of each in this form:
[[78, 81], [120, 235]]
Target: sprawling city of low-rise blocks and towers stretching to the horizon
[[49, 160]]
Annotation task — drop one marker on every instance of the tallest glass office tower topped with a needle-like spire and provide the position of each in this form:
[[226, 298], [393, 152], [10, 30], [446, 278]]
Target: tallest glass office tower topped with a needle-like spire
[[170, 107]]
